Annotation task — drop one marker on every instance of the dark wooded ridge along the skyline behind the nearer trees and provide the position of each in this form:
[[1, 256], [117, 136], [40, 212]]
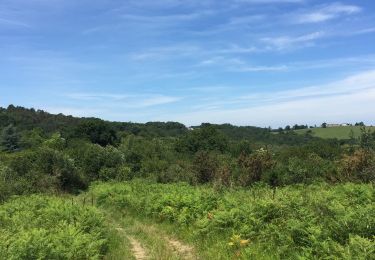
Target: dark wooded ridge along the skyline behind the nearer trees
[[106, 132]]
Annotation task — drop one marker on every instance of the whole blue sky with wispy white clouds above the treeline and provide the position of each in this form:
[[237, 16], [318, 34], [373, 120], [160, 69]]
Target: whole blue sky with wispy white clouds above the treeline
[[246, 62]]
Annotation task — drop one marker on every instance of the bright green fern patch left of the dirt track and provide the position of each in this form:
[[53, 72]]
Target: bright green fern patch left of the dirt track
[[41, 227]]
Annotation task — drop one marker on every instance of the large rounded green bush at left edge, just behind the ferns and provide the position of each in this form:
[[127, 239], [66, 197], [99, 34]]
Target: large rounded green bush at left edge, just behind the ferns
[[40, 170]]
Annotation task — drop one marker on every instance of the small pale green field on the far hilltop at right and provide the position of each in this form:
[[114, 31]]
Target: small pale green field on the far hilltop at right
[[340, 132]]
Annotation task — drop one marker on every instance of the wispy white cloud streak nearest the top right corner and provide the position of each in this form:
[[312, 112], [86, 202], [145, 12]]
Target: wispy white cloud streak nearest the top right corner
[[325, 13]]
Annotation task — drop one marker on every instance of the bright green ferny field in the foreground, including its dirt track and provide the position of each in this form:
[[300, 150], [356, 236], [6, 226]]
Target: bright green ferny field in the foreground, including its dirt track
[[144, 220]]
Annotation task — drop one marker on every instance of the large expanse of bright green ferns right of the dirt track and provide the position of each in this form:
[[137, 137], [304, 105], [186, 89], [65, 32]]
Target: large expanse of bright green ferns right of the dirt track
[[295, 222]]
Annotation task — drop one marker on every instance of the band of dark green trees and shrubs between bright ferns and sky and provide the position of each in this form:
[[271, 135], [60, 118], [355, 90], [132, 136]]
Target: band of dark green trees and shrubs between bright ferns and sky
[[45, 152]]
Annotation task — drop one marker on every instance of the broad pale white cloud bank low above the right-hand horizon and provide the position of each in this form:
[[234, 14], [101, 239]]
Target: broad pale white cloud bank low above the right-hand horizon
[[350, 99]]
